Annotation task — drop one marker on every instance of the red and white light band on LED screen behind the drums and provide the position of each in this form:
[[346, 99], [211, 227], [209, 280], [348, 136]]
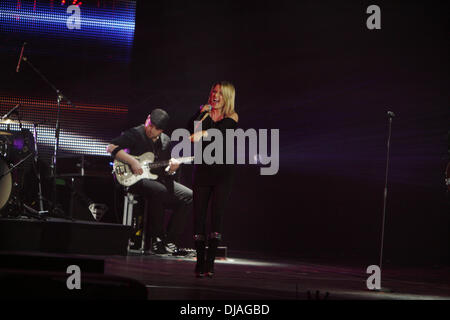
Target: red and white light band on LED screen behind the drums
[[81, 127]]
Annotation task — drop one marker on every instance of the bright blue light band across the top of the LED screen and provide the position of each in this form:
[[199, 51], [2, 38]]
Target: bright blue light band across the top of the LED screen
[[115, 25]]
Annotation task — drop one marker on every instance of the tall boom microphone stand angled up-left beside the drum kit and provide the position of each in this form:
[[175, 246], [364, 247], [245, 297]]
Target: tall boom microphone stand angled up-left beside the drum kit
[[59, 98]]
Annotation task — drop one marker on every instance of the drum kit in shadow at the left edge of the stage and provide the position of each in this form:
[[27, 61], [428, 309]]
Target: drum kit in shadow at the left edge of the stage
[[20, 179]]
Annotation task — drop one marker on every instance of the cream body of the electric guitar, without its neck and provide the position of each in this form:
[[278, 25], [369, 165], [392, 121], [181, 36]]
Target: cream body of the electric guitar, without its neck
[[124, 174]]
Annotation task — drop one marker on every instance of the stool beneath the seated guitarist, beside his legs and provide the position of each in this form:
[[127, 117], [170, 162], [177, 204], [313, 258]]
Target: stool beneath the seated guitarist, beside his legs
[[137, 219]]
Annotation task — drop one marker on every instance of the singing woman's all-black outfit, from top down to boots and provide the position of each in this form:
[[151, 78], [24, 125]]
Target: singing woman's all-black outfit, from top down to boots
[[210, 183]]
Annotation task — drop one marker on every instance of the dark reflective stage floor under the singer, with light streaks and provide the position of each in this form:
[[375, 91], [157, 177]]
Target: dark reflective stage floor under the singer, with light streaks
[[242, 276]]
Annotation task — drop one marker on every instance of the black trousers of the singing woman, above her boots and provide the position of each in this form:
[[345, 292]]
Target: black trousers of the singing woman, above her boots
[[219, 195]]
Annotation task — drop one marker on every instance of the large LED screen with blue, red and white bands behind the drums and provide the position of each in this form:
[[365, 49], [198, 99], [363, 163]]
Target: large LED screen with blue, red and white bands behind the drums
[[90, 66]]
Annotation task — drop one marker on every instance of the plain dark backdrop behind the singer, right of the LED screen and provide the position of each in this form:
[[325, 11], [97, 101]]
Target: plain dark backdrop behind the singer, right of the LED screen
[[313, 70]]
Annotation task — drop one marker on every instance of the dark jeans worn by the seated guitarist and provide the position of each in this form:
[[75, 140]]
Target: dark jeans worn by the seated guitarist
[[170, 194]]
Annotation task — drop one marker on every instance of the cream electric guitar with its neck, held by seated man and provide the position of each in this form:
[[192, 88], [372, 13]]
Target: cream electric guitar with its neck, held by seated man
[[125, 175]]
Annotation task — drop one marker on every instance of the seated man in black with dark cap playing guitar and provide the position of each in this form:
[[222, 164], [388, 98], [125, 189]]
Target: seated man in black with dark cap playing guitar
[[161, 193]]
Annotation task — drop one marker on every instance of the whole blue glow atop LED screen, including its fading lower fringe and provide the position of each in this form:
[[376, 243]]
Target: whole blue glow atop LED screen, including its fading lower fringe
[[110, 24]]
